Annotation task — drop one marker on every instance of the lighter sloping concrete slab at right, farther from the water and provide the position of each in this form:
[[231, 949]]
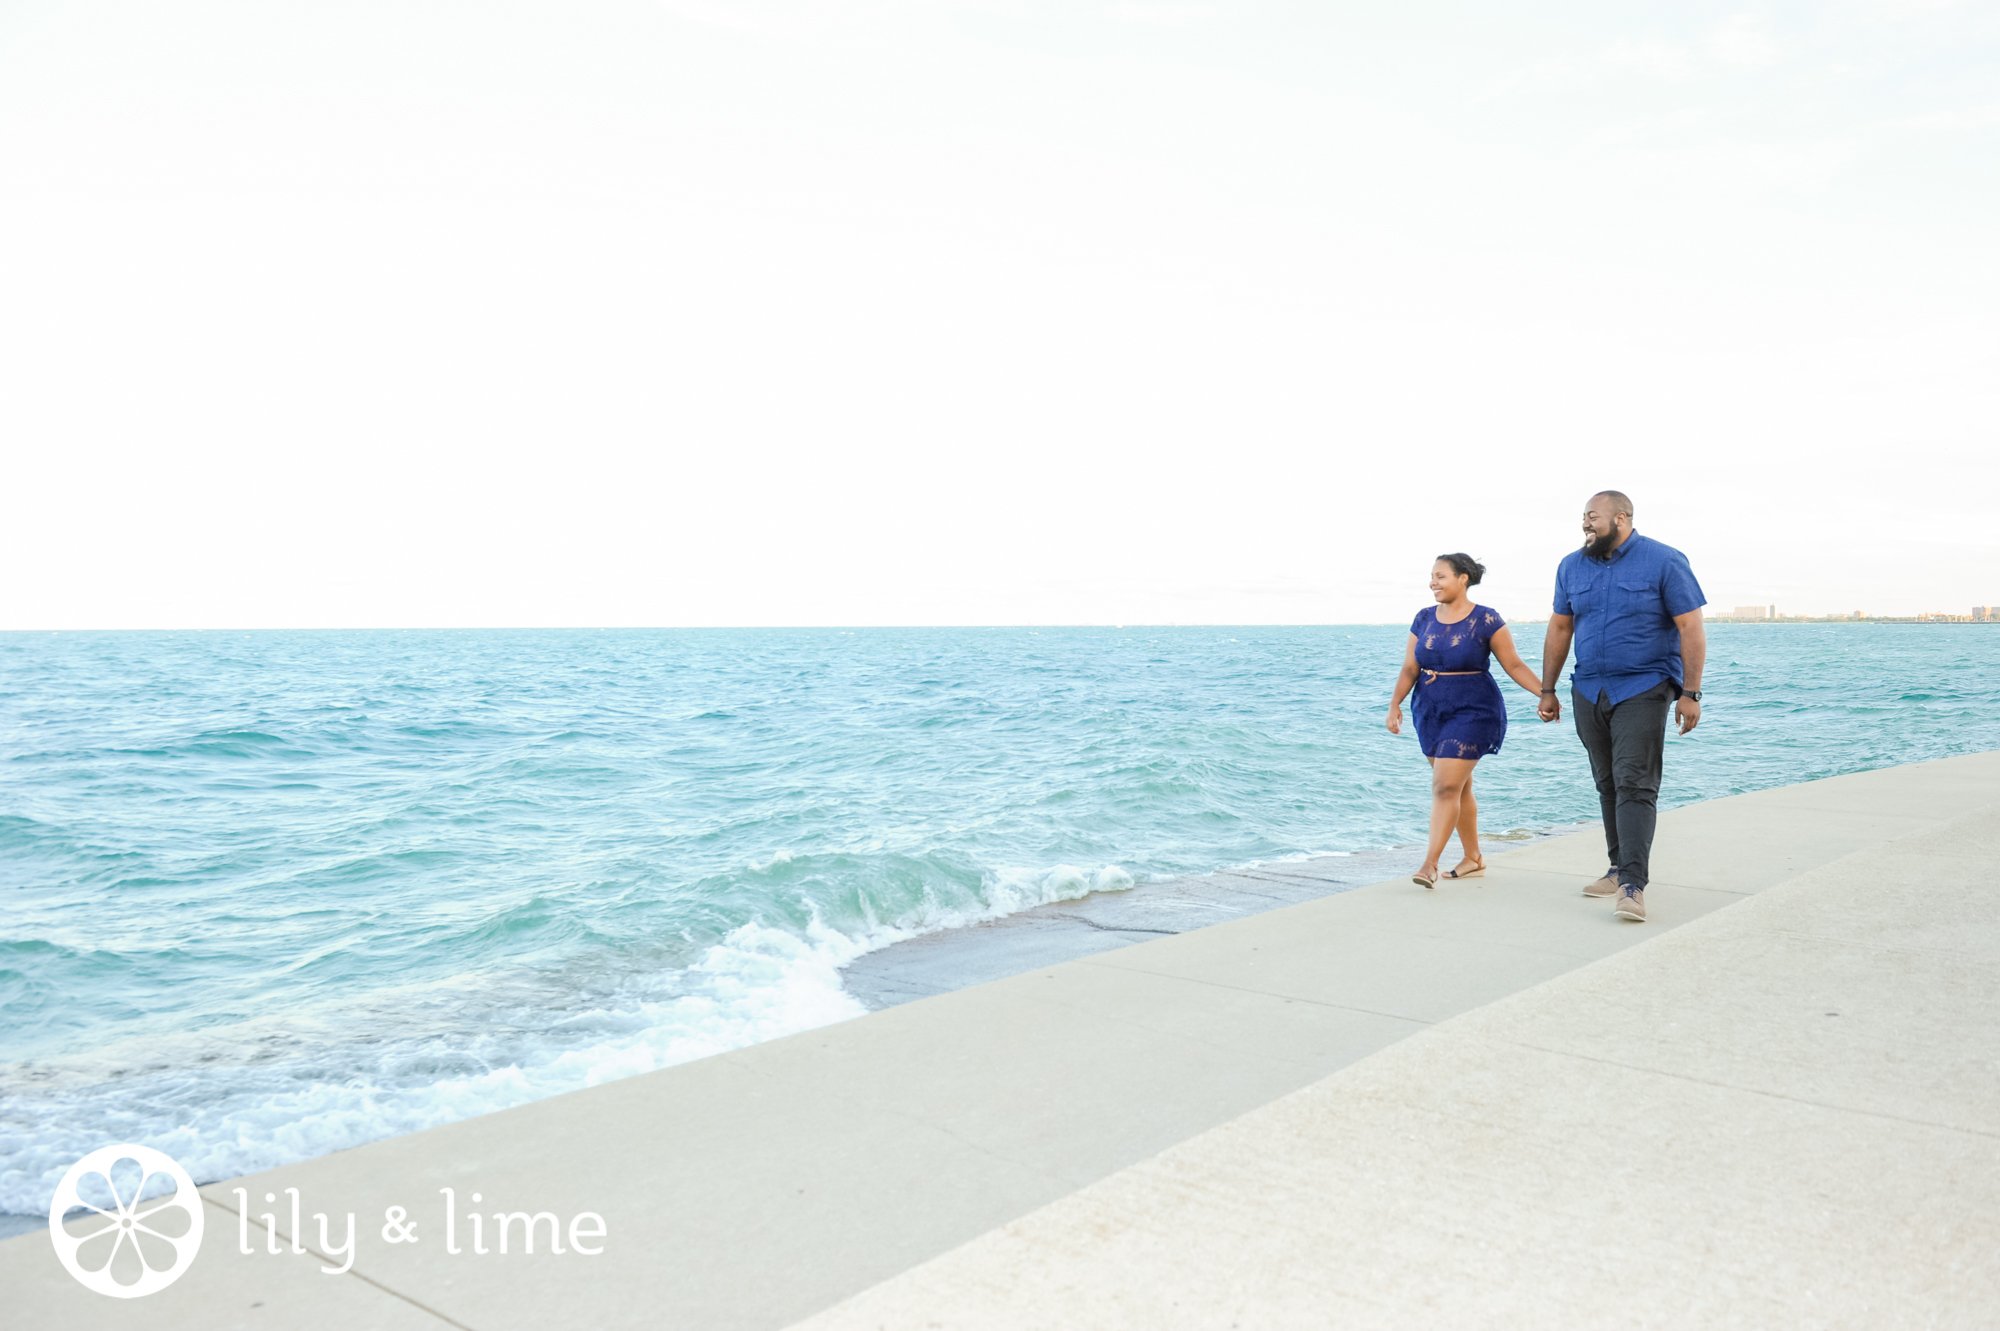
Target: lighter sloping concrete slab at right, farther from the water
[[1779, 1116]]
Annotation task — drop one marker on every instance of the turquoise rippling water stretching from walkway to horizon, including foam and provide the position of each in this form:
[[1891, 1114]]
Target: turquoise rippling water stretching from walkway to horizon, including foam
[[277, 894]]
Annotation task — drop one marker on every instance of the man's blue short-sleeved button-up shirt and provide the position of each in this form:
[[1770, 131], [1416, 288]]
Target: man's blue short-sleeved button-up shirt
[[1625, 617]]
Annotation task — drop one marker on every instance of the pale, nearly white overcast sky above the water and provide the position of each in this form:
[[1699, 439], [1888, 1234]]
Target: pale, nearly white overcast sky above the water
[[709, 313]]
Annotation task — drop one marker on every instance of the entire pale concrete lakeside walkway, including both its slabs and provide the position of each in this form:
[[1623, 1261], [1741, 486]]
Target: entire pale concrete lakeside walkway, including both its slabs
[[1487, 1104]]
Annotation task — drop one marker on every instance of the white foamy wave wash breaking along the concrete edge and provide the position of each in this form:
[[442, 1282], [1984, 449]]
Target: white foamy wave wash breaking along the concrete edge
[[295, 1086]]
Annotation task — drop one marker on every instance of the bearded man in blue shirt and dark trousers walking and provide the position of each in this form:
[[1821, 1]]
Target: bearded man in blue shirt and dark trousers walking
[[1635, 611]]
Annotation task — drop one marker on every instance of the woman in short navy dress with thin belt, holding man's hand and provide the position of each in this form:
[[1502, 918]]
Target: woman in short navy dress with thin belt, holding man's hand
[[1459, 712]]
